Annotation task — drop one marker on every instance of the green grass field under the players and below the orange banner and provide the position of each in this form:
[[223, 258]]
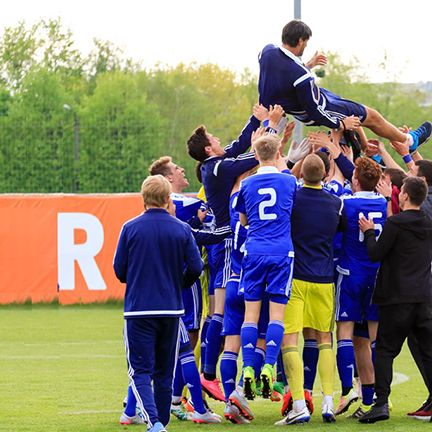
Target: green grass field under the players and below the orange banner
[[63, 369]]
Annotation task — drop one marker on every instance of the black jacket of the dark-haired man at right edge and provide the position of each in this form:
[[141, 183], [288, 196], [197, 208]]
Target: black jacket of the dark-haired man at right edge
[[405, 251]]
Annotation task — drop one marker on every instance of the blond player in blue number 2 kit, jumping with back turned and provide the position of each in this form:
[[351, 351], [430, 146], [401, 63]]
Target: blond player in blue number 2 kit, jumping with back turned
[[265, 203]]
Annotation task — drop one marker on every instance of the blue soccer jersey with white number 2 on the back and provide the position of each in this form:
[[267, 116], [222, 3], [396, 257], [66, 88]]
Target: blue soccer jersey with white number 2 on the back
[[267, 199]]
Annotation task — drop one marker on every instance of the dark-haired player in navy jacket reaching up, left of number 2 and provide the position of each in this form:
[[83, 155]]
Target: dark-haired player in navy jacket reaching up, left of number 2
[[219, 170]]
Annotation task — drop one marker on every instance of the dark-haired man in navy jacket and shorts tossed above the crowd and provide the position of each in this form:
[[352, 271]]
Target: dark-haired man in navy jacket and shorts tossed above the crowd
[[287, 81]]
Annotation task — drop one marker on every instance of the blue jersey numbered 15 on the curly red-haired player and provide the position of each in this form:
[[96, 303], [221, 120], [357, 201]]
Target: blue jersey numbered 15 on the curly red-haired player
[[354, 252]]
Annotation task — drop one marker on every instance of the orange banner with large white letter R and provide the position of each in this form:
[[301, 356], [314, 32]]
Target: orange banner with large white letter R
[[61, 247]]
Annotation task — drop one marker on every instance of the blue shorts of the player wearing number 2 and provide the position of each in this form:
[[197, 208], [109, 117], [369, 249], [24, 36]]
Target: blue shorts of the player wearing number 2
[[271, 274]]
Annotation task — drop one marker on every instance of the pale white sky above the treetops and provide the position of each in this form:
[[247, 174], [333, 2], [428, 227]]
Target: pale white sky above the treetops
[[231, 33]]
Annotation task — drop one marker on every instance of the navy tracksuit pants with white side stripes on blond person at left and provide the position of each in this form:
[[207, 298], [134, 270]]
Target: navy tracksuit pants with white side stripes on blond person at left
[[151, 351]]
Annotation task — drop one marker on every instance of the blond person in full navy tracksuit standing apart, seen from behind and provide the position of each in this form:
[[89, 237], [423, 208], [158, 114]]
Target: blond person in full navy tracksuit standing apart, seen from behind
[[152, 253]]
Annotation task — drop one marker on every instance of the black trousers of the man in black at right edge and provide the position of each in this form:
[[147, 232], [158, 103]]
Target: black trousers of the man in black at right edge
[[395, 324]]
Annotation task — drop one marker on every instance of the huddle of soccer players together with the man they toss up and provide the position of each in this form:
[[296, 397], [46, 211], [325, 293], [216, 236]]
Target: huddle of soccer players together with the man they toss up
[[284, 249]]
